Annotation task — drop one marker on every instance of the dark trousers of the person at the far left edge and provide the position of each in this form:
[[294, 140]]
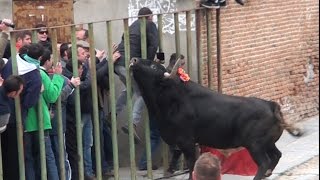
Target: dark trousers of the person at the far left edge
[[9, 146]]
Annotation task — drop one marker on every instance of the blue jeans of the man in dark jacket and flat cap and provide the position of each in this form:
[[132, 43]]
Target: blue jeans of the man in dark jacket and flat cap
[[87, 140]]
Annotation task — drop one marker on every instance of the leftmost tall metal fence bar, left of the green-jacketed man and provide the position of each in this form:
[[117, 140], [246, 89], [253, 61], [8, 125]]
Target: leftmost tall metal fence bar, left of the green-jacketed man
[[18, 110]]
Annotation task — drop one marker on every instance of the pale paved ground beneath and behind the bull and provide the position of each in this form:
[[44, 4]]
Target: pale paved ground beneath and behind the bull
[[299, 161]]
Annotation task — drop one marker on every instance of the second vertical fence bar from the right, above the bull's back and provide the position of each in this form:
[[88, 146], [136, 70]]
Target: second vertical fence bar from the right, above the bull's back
[[209, 48]]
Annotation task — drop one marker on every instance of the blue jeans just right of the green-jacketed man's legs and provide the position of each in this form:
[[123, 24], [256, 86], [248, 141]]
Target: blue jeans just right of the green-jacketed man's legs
[[55, 148]]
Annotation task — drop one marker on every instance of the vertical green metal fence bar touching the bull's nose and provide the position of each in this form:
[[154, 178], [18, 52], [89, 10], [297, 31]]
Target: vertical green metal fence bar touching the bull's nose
[[129, 100]]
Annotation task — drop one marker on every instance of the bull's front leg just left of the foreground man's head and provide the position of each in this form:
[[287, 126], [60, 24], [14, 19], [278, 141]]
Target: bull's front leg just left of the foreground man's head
[[188, 149]]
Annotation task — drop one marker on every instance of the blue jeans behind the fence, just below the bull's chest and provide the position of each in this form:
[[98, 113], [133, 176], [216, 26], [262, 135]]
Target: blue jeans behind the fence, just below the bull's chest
[[155, 139]]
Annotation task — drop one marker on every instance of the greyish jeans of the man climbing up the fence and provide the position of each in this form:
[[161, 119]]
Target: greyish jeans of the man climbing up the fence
[[138, 103]]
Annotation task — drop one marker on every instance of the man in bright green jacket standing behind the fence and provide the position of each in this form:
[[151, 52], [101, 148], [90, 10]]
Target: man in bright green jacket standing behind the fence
[[51, 89]]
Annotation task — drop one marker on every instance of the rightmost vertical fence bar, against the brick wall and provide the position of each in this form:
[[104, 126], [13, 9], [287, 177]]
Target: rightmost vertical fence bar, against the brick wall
[[219, 66]]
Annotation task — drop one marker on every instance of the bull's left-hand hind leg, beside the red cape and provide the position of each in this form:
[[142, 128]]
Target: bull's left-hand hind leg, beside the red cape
[[260, 156]]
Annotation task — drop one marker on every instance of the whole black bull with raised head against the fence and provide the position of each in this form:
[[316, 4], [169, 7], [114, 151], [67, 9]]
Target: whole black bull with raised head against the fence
[[188, 113]]
